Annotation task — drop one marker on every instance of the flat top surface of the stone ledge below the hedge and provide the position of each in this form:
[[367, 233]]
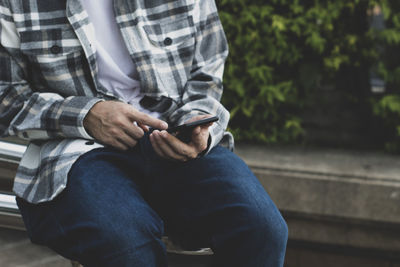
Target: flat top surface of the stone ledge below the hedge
[[332, 162]]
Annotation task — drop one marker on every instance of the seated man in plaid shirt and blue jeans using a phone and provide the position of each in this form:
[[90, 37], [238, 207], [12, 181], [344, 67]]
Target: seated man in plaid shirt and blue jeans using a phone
[[83, 81]]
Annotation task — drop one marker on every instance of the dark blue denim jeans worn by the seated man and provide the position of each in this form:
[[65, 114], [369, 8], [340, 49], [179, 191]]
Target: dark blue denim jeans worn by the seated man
[[114, 208]]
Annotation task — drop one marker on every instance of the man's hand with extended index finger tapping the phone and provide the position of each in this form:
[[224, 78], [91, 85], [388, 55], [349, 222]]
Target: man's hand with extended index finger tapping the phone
[[113, 123]]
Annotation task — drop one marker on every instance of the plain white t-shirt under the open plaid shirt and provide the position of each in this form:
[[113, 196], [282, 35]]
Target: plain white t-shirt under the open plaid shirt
[[116, 69]]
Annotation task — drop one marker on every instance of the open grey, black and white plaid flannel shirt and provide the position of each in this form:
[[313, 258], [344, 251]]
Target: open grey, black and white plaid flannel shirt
[[48, 76]]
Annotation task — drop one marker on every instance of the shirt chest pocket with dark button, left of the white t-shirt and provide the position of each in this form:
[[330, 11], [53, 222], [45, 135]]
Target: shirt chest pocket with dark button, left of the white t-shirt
[[55, 59]]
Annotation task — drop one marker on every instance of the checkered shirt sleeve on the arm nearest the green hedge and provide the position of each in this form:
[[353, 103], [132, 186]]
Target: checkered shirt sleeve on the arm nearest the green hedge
[[204, 87]]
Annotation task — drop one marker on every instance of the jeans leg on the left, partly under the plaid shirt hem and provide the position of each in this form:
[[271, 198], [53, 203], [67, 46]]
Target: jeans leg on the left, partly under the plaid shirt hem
[[101, 217]]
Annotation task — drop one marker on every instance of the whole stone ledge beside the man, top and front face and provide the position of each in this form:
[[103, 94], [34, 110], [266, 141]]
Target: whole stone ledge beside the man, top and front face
[[333, 197]]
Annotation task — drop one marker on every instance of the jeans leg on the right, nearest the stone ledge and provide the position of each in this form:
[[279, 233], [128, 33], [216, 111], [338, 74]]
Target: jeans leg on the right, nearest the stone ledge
[[216, 201]]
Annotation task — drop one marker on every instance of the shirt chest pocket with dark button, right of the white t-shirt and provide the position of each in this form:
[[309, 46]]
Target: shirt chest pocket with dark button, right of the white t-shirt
[[165, 55]]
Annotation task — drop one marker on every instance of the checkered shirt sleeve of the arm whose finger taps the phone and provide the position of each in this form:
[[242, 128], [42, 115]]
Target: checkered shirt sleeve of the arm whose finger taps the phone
[[28, 114]]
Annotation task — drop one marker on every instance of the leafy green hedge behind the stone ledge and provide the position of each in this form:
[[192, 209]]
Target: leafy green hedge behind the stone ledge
[[282, 51]]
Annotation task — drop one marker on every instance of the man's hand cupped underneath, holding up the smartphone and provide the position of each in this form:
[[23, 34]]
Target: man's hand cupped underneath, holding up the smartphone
[[169, 147]]
